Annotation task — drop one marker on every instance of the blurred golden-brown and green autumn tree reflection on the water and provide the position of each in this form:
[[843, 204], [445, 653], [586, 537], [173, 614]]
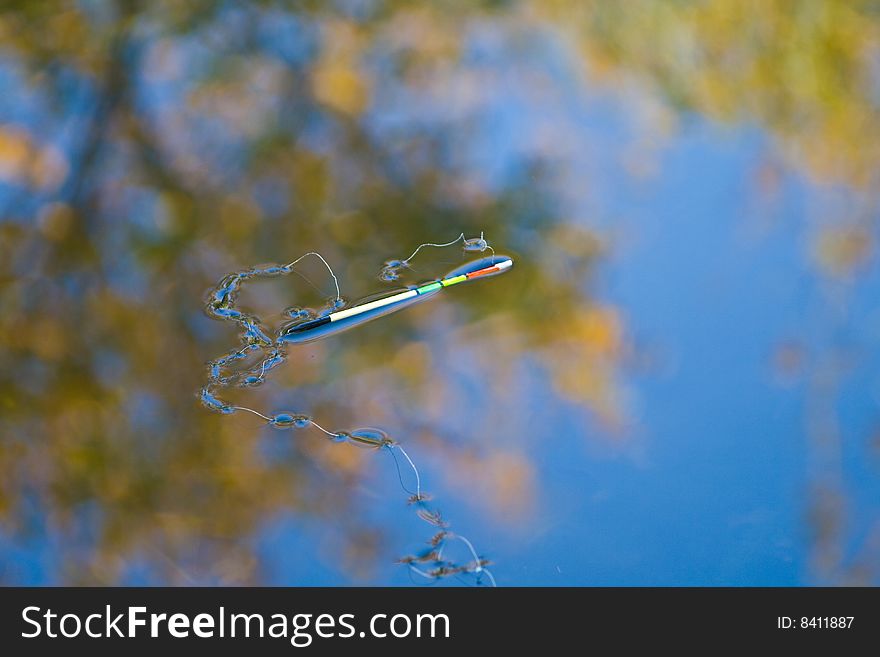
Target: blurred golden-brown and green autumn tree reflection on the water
[[147, 147]]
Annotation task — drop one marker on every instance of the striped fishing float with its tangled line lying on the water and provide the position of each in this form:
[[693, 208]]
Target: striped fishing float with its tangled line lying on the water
[[308, 325]]
